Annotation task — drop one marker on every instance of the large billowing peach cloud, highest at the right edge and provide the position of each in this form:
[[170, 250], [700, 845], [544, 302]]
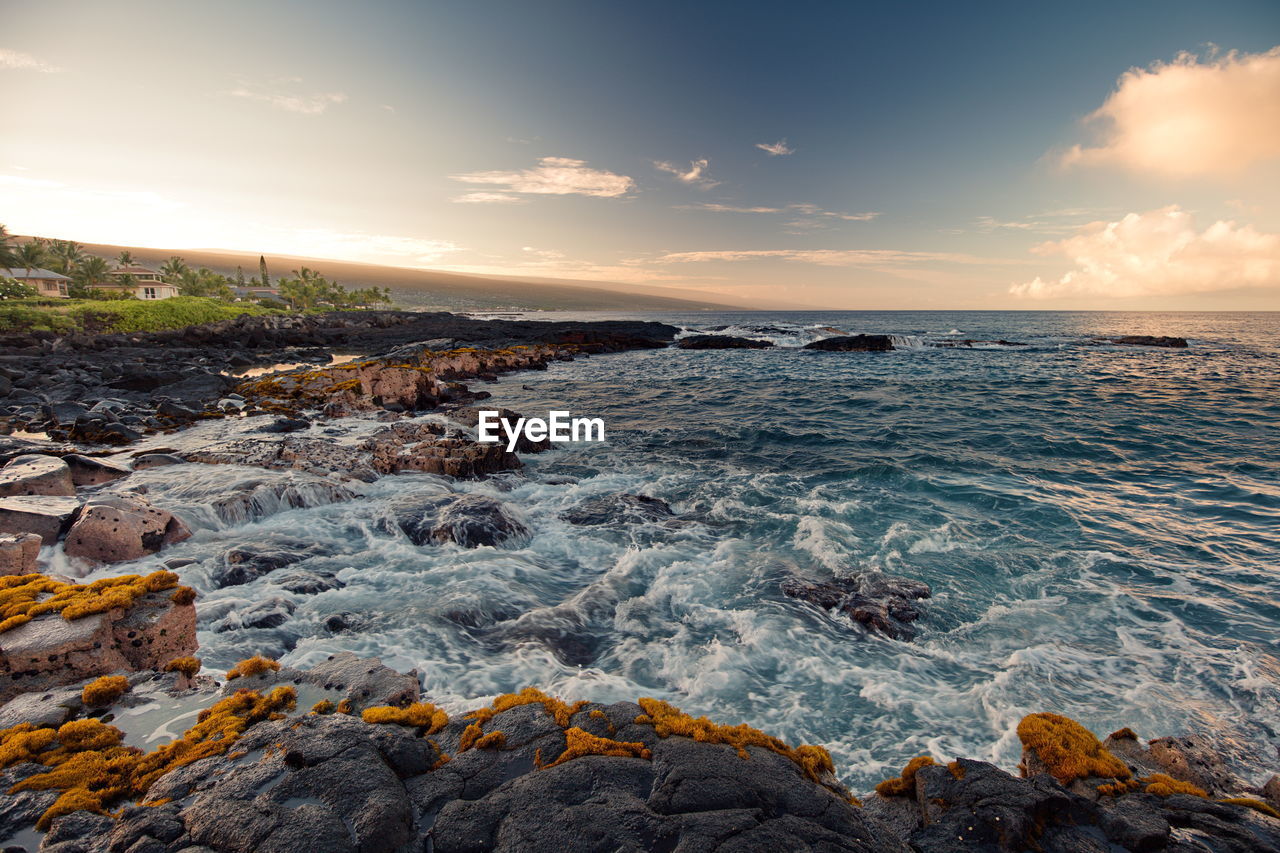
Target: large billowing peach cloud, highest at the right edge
[[1190, 118]]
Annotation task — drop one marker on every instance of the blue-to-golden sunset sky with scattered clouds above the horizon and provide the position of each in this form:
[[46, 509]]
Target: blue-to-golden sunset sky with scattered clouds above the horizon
[[843, 156]]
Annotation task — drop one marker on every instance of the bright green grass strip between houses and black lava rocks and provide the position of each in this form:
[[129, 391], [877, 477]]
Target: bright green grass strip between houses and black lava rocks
[[118, 316]]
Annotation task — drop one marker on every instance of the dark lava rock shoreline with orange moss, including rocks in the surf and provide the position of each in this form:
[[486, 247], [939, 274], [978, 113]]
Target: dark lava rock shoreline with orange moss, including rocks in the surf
[[112, 738]]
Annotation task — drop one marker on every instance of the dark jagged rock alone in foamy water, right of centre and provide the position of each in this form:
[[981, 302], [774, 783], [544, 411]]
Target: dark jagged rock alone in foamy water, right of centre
[[879, 603]]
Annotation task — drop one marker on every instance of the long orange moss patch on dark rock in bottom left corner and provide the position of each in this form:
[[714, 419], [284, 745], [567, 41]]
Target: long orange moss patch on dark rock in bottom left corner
[[93, 772]]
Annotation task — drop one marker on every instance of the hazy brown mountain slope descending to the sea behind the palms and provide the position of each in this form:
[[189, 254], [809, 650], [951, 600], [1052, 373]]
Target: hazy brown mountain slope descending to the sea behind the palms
[[436, 289]]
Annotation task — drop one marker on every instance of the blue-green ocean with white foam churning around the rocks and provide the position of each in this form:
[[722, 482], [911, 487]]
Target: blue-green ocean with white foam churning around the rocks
[[1100, 527]]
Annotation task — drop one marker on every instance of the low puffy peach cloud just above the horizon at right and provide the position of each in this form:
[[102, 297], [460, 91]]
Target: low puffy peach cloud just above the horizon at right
[[1159, 253]]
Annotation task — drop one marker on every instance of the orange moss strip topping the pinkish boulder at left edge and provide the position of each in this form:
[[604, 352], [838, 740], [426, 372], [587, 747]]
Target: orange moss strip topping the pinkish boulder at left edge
[[25, 597]]
